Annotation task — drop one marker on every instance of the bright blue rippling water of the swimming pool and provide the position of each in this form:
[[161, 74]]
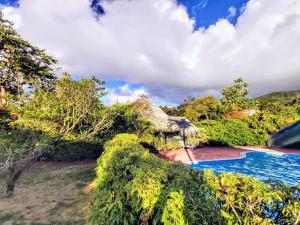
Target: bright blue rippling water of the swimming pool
[[282, 167]]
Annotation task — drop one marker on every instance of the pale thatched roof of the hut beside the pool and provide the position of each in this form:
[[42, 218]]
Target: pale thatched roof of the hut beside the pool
[[161, 121]]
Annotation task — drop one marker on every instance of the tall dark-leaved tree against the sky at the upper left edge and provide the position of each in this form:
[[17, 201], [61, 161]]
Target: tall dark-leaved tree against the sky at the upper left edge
[[21, 63]]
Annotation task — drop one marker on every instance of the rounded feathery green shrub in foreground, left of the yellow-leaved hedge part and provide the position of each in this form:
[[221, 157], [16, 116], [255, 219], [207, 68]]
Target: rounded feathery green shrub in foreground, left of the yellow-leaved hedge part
[[134, 187]]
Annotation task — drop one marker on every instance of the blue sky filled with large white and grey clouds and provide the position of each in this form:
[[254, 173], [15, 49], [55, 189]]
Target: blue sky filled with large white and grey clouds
[[167, 49]]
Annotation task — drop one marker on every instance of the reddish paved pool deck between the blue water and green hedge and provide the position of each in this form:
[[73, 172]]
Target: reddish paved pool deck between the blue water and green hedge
[[188, 156]]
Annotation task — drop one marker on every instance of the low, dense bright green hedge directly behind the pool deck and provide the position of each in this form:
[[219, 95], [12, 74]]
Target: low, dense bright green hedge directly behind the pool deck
[[230, 132]]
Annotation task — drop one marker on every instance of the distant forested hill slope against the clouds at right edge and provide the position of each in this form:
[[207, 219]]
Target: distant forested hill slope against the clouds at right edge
[[283, 97]]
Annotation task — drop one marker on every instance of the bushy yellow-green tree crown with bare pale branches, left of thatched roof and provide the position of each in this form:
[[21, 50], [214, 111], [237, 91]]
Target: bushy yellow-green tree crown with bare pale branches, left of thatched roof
[[72, 111]]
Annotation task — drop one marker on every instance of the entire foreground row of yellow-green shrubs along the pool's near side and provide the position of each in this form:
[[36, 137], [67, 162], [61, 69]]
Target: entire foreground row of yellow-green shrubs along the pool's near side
[[135, 187]]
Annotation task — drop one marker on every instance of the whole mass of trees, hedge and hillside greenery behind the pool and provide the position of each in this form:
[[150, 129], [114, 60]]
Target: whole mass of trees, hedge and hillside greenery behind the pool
[[236, 119]]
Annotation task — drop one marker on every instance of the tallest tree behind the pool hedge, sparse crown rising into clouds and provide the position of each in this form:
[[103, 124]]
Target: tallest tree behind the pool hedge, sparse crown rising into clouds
[[235, 97]]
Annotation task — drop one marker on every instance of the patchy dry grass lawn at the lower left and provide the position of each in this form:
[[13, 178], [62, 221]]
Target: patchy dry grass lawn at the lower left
[[47, 195]]
